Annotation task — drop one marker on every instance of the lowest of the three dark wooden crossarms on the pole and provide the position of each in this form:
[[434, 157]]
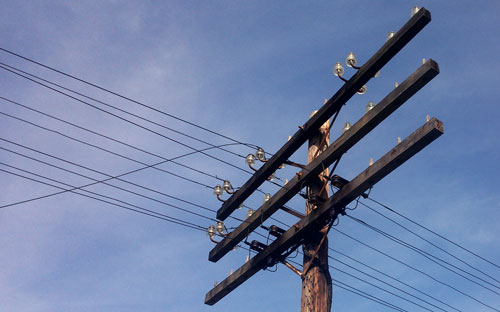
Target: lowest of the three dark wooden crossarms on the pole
[[422, 137]]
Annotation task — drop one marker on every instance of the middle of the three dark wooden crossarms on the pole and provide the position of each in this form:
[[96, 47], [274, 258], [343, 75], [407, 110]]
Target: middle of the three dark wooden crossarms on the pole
[[369, 121]]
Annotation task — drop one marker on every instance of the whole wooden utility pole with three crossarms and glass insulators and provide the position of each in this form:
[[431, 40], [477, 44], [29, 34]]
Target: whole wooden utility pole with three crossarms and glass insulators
[[321, 210]]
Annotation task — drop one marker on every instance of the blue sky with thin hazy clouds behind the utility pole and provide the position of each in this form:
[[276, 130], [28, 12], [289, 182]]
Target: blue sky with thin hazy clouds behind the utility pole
[[253, 71]]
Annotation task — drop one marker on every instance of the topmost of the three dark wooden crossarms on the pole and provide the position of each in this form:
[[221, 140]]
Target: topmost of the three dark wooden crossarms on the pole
[[367, 71]]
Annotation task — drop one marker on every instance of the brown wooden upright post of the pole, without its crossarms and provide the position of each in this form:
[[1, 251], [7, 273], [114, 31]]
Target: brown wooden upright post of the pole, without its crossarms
[[316, 279]]
